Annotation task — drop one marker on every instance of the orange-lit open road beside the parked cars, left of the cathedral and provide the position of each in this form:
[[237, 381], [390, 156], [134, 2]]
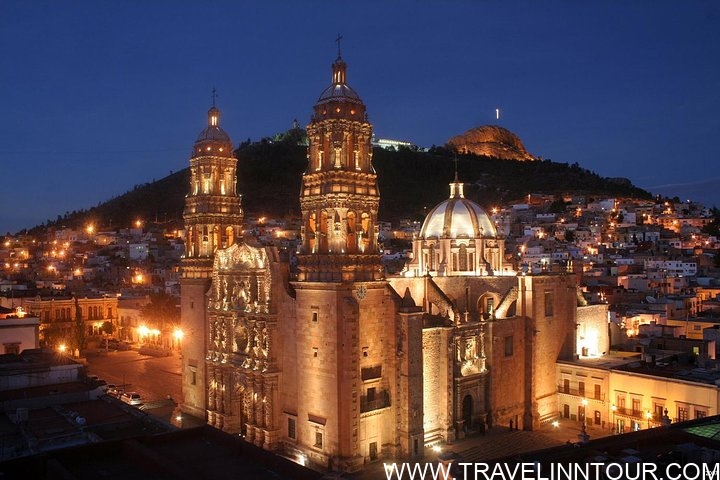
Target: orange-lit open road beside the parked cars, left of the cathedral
[[154, 378]]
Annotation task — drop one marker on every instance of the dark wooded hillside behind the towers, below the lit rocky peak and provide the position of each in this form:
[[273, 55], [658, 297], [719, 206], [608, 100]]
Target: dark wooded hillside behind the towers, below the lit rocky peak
[[410, 182]]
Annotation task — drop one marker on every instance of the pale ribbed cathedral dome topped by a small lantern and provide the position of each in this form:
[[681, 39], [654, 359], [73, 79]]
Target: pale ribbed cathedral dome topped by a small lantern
[[458, 217]]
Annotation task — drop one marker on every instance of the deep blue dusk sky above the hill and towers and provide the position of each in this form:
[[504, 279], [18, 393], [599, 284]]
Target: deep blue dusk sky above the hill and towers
[[96, 97]]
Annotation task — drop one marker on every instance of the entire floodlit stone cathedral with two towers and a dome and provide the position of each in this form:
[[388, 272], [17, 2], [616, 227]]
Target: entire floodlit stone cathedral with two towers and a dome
[[336, 362]]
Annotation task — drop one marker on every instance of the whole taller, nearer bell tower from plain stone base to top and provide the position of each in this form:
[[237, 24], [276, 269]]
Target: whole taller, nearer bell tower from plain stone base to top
[[344, 331]]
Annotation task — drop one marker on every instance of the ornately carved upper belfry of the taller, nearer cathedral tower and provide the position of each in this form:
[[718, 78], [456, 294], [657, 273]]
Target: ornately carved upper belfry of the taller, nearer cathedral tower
[[339, 197]]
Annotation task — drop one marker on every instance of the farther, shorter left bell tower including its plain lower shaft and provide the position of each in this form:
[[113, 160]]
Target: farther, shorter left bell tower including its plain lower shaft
[[213, 220]]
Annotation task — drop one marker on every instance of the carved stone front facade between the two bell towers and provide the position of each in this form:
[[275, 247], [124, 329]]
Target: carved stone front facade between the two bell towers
[[242, 387]]
